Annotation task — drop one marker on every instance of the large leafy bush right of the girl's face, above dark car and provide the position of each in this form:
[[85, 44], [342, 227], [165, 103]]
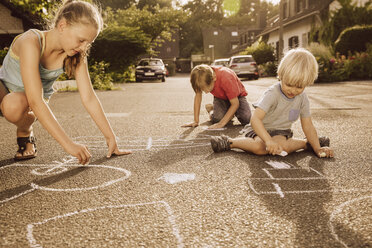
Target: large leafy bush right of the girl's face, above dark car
[[132, 32]]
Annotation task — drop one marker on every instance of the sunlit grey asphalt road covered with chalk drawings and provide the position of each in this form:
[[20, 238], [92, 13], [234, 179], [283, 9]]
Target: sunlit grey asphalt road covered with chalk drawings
[[173, 191]]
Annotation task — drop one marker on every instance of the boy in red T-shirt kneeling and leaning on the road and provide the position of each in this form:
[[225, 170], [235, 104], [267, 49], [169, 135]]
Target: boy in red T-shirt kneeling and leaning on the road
[[229, 96]]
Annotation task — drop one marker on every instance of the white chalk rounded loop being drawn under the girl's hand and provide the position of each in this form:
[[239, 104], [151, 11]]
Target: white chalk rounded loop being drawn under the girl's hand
[[53, 169]]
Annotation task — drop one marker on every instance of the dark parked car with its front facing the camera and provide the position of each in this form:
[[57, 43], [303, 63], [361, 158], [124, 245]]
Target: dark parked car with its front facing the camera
[[150, 69]]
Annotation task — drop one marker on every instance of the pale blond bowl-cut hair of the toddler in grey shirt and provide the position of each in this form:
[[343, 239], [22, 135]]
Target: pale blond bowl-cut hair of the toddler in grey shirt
[[298, 68]]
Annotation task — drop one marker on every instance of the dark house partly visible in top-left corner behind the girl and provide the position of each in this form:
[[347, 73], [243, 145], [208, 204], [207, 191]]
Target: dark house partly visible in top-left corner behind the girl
[[14, 21]]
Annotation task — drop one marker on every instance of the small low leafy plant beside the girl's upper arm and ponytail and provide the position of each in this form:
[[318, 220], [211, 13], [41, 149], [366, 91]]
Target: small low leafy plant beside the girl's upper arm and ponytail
[[100, 79]]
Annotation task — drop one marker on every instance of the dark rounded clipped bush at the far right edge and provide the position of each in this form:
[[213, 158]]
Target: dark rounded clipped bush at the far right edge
[[354, 39]]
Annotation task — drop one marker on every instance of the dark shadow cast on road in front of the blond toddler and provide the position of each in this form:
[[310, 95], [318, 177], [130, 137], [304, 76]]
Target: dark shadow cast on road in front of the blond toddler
[[299, 195]]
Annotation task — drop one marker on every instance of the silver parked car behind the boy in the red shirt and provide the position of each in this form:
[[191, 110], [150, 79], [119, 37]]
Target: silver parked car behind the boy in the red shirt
[[244, 66]]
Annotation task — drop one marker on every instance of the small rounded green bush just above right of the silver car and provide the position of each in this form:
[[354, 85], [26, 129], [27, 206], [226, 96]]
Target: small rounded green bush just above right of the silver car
[[261, 53]]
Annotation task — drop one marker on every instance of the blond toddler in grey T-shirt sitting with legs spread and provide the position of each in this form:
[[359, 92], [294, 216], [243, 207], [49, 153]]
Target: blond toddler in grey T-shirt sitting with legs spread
[[281, 105]]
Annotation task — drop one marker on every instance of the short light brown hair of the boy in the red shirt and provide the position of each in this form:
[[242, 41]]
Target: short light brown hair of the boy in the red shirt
[[201, 75]]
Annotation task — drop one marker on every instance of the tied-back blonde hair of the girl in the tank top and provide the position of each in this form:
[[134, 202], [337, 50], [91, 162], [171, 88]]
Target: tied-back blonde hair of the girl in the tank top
[[78, 12]]
